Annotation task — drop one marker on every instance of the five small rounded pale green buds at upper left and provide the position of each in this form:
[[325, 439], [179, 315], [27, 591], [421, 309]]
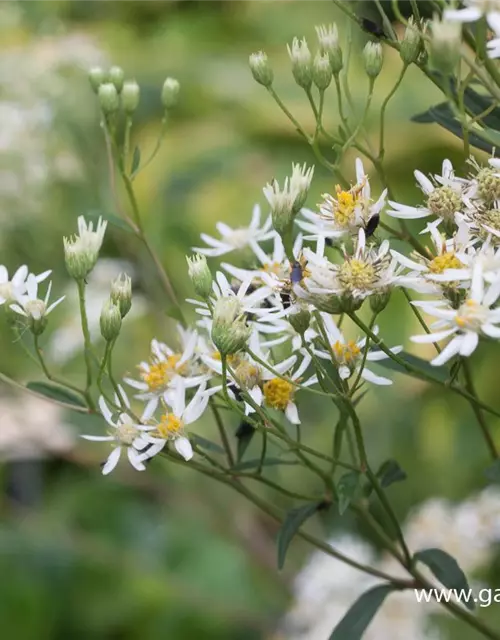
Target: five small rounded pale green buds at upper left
[[114, 92]]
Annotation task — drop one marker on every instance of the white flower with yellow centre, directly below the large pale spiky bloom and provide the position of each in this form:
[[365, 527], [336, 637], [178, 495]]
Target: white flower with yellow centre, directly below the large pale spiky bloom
[[349, 353]]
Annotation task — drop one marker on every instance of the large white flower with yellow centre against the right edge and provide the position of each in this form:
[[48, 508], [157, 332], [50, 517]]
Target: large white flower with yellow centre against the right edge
[[474, 318]]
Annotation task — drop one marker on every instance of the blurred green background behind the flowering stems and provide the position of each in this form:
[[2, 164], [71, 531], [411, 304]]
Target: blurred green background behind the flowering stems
[[166, 553]]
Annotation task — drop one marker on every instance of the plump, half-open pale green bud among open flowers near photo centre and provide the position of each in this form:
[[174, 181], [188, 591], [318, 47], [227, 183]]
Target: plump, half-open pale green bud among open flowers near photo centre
[[230, 332]]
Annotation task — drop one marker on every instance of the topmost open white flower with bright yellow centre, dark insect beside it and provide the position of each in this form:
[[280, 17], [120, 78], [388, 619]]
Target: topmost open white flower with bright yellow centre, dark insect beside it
[[347, 211]]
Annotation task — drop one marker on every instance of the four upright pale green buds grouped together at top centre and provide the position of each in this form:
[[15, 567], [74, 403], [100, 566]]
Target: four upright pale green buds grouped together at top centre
[[306, 68]]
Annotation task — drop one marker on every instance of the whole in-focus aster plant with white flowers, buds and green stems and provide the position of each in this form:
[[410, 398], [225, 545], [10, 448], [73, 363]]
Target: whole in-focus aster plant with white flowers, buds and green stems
[[301, 316]]
